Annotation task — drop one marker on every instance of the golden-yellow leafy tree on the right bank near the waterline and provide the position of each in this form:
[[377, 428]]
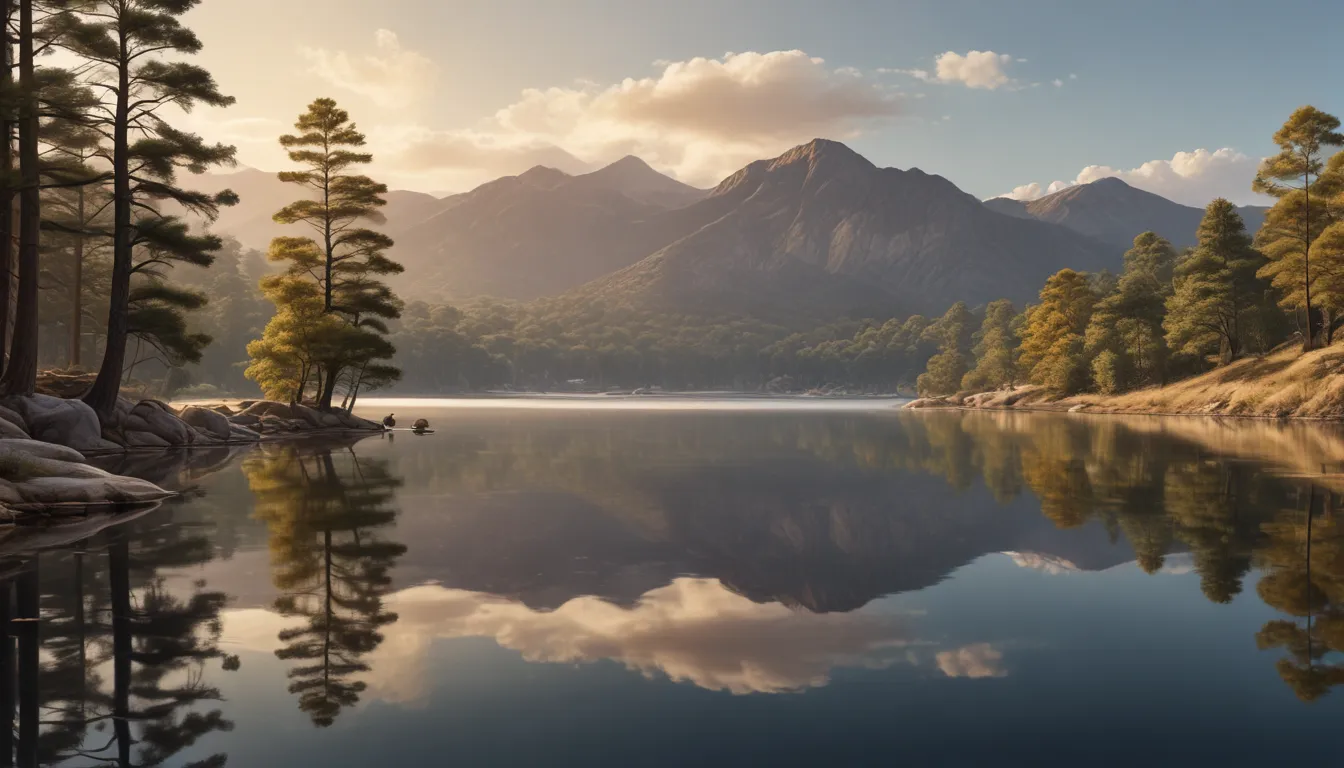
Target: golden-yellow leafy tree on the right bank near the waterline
[[1052, 353]]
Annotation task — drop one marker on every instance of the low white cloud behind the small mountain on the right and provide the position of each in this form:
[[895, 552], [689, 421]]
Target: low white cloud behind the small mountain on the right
[[1191, 178]]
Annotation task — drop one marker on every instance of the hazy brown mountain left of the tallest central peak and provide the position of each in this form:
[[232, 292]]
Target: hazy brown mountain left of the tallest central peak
[[536, 235]]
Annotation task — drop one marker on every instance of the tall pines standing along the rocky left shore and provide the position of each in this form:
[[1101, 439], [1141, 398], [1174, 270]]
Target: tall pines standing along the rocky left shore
[[106, 251]]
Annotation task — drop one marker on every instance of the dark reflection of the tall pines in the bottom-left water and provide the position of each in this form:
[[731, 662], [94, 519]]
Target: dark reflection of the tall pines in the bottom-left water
[[119, 669]]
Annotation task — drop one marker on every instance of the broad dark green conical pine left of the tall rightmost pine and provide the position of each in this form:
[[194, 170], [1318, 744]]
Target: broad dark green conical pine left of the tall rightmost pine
[[1217, 291]]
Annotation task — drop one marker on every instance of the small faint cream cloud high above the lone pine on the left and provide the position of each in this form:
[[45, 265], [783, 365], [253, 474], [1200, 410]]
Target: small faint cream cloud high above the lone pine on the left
[[392, 76]]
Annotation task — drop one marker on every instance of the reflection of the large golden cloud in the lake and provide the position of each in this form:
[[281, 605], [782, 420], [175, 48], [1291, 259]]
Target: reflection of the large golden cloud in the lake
[[694, 630]]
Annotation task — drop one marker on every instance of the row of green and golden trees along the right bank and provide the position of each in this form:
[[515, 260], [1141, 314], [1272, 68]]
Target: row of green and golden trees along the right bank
[[1170, 315]]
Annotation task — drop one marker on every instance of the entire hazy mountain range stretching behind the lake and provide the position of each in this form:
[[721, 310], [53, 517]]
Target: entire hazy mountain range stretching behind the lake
[[814, 235]]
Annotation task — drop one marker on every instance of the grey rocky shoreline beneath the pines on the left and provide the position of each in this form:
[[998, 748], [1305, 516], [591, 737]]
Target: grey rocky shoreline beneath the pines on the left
[[46, 443]]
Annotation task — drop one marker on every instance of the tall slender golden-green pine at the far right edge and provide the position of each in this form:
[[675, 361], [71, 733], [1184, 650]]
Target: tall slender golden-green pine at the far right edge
[[1295, 223]]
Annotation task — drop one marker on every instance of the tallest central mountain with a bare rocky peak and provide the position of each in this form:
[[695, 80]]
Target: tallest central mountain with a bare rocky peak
[[822, 232]]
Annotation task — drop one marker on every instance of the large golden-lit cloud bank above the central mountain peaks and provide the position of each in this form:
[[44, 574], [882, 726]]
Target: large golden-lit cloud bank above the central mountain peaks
[[700, 119]]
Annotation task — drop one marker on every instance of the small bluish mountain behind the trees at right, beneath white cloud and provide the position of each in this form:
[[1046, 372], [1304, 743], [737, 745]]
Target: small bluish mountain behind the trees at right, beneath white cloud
[[1115, 213]]
